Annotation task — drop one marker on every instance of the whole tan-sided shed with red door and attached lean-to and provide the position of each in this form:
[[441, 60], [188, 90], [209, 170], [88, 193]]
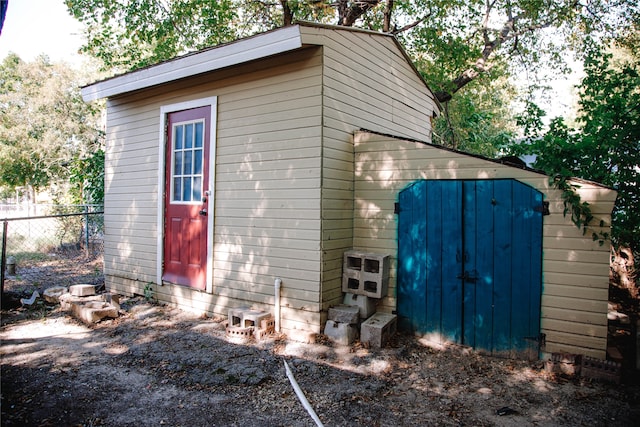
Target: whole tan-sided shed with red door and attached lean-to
[[234, 166]]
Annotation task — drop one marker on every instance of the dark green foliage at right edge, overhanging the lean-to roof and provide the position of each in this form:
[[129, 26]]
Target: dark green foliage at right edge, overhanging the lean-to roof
[[605, 147]]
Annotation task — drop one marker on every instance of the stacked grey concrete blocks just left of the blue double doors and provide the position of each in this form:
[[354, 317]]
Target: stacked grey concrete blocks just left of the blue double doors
[[365, 280]]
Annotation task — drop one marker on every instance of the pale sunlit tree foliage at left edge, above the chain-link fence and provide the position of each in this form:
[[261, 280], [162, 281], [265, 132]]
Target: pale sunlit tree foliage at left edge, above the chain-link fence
[[46, 126]]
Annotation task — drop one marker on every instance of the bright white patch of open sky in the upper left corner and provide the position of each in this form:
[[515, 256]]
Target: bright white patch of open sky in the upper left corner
[[34, 27]]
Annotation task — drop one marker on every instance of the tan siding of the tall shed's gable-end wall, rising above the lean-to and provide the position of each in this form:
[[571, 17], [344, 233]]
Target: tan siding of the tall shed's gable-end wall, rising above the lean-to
[[367, 84]]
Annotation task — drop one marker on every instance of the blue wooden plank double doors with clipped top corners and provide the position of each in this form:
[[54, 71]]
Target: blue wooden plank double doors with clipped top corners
[[470, 263]]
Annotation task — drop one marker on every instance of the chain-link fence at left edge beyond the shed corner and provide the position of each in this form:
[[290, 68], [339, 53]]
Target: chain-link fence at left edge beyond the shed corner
[[60, 246]]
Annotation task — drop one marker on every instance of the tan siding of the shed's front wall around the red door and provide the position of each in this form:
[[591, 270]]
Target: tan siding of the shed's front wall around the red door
[[267, 188]]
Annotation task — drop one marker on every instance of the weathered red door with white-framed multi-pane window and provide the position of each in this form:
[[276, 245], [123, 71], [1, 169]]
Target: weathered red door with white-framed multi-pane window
[[186, 193]]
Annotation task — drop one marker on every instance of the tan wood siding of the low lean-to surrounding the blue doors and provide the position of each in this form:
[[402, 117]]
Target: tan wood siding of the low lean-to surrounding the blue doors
[[575, 268]]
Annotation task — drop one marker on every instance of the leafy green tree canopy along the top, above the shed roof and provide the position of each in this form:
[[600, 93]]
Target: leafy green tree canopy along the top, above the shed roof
[[457, 39]]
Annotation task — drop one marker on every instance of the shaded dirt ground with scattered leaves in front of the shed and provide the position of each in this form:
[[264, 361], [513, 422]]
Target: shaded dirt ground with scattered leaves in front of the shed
[[156, 365]]
